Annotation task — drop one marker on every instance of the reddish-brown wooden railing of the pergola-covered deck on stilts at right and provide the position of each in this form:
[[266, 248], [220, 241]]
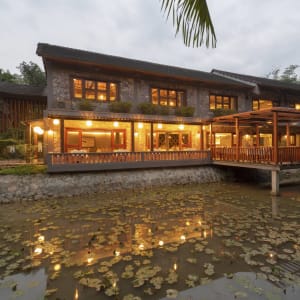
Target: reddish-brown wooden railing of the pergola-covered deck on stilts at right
[[260, 155]]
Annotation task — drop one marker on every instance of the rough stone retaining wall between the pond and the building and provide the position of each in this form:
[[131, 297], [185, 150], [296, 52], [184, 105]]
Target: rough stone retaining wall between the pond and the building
[[43, 186]]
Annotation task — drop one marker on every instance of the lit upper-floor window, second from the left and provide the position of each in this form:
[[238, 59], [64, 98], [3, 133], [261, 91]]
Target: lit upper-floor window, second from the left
[[167, 97]]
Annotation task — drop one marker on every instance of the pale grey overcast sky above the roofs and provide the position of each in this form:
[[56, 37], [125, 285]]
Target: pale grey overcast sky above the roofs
[[253, 36]]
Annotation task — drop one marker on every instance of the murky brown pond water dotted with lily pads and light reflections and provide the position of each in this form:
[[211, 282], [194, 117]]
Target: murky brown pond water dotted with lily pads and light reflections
[[149, 244]]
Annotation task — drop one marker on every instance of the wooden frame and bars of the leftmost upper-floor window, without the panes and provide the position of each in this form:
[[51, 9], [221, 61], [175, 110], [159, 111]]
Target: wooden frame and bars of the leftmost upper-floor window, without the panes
[[96, 90]]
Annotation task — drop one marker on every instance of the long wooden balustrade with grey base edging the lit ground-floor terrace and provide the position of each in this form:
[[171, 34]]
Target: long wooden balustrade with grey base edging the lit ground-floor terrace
[[83, 162]]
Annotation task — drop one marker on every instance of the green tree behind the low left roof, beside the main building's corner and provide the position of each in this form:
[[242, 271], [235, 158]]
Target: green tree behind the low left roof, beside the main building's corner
[[31, 74]]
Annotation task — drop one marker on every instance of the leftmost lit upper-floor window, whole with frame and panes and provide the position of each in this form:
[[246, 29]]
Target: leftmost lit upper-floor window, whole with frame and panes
[[95, 90]]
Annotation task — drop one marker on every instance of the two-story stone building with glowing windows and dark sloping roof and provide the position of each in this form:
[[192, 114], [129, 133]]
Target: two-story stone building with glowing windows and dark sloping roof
[[103, 108]]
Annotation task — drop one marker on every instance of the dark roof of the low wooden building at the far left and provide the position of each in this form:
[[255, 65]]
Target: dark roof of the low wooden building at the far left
[[9, 88]]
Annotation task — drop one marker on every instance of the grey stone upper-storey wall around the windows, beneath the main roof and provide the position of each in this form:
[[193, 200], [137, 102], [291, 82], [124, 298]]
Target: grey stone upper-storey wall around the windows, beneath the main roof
[[131, 88]]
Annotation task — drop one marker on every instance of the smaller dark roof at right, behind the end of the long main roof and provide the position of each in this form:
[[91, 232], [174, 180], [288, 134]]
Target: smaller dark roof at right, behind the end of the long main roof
[[264, 82]]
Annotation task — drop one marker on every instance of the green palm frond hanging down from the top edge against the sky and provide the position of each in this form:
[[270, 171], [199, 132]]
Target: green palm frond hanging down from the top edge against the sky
[[192, 19]]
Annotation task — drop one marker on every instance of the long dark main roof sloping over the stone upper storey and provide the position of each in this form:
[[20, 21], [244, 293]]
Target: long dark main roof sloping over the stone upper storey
[[77, 56]]
